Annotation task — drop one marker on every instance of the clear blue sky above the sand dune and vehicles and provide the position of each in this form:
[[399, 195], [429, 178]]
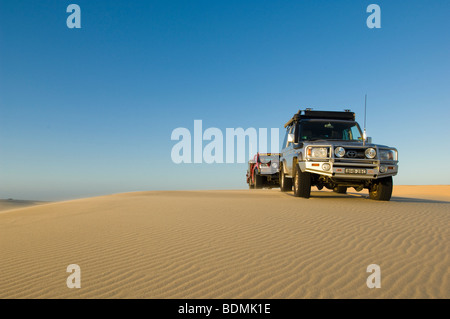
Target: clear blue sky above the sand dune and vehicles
[[90, 111]]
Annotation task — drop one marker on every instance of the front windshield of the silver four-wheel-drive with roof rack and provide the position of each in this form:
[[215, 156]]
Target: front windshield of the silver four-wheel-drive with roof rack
[[330, 130]]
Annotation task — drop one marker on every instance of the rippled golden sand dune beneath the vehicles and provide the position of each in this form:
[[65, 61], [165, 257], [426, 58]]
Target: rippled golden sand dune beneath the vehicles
[[230, 244]]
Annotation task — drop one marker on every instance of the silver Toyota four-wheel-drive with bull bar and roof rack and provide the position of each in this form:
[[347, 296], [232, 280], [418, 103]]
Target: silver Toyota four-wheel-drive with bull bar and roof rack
[[326, 149]]
